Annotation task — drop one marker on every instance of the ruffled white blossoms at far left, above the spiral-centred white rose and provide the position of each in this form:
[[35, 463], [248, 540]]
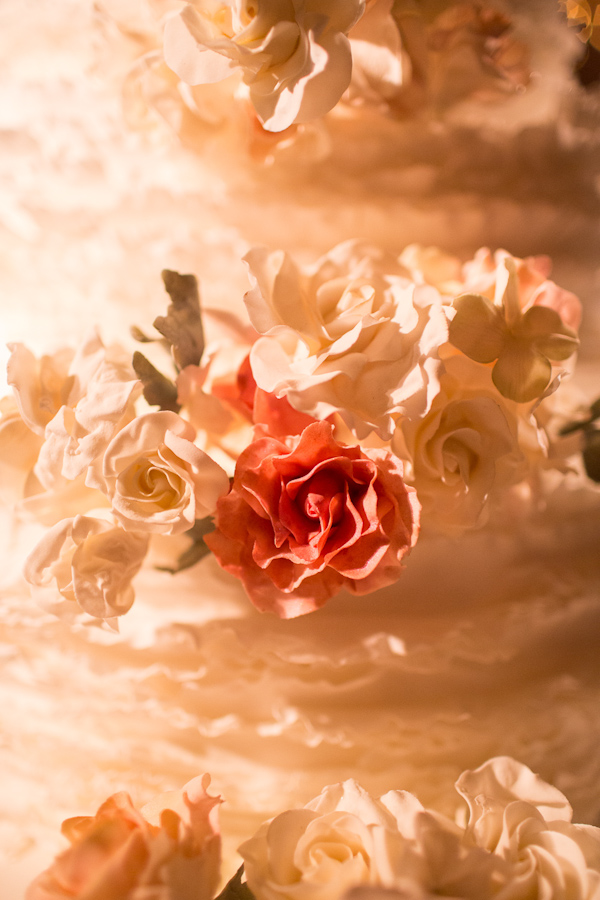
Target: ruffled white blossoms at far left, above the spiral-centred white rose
[[77, 404]]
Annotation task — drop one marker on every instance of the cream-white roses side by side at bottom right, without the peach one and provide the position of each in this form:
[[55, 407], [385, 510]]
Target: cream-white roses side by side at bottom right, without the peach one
[[518, 843]]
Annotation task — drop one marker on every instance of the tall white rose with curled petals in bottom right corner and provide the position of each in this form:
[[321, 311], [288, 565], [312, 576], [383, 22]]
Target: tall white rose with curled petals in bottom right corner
[[515, 815]]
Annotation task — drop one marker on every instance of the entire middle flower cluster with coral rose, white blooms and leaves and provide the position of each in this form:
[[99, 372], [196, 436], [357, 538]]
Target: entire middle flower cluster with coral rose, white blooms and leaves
[[372, 394]]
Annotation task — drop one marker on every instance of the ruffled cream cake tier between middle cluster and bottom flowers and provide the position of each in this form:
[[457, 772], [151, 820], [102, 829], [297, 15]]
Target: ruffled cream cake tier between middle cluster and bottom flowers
[[486, 646]]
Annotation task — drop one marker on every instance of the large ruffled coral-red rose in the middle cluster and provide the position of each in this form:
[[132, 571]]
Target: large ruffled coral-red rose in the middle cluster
[[300, 524]]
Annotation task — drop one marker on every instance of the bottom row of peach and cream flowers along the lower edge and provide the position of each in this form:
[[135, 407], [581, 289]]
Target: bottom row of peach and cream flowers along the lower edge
[[518, 841]]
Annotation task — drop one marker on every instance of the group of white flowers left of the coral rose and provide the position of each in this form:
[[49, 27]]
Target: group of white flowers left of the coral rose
[[80, 456]]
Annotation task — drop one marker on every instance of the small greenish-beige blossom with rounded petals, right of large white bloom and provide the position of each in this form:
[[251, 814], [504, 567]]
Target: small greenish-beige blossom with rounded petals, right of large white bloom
[[521, 345]]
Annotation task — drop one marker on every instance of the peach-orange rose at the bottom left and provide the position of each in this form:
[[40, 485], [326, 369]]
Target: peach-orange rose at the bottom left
[[168, 850]]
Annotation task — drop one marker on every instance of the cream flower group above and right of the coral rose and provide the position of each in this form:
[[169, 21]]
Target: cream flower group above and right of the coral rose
[[445, 364]]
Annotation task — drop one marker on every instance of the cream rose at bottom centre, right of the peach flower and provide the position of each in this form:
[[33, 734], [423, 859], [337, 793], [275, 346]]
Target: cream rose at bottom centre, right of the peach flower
[[340, 839]]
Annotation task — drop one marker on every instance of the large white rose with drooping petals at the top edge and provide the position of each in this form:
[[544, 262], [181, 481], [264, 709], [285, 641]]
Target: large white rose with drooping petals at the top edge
[[293, 54]]
